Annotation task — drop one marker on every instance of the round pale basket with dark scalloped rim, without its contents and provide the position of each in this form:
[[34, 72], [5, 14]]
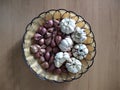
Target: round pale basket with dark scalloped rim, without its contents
[[40, 20]]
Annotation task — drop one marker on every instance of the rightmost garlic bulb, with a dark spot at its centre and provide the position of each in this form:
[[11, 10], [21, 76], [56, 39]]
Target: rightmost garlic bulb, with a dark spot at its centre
[[80, 51]]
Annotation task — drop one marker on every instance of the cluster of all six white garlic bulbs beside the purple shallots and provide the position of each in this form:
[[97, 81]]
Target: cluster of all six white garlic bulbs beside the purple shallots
[[73, 43]]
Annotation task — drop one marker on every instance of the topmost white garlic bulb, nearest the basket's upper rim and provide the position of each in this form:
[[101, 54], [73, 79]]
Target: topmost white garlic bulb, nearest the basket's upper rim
[[67, 25]]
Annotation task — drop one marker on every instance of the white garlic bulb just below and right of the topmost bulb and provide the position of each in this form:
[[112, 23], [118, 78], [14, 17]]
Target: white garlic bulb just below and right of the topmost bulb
[[79, 35]]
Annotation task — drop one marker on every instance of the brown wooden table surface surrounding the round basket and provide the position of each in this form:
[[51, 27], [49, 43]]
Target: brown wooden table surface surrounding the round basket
[[104, 17]]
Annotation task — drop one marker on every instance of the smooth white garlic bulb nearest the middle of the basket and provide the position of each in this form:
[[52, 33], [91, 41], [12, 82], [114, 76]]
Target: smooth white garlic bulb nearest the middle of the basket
[[66, 44]]
